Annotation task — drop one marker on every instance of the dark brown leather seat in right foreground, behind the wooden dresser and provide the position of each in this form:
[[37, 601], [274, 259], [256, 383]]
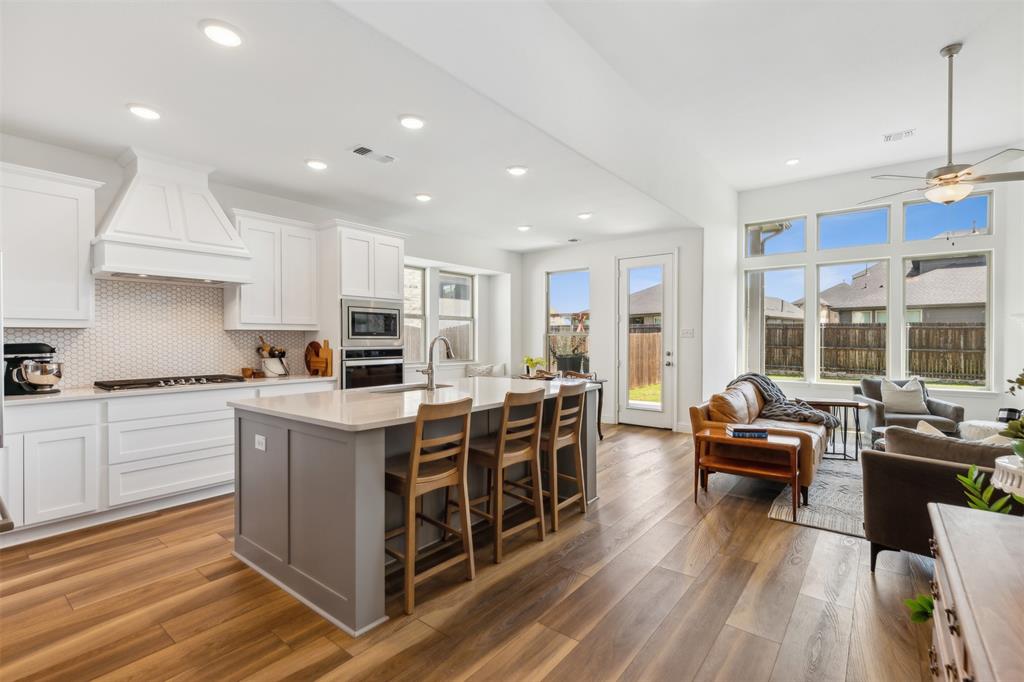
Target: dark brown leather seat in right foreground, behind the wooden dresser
[[917, 468]]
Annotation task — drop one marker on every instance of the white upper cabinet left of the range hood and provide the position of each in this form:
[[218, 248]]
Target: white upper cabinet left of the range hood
[[48, 222]]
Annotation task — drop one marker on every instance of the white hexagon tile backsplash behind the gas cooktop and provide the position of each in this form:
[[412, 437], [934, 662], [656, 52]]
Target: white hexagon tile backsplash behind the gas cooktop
[[157, 330]]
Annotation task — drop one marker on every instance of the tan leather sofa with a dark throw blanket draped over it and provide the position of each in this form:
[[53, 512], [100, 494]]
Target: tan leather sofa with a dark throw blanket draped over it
[[742, 404]]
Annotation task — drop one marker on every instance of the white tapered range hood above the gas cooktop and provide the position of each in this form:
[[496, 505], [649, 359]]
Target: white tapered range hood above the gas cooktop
[[167, 226]]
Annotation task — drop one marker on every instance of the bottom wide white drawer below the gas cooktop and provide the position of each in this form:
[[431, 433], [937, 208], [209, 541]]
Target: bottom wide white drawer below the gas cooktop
[[156, 478]]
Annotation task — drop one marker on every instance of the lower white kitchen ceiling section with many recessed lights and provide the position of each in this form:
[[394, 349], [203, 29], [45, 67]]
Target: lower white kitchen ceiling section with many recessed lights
[[310, 81]]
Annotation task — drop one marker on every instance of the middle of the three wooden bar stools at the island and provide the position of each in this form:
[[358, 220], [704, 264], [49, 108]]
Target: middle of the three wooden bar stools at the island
[[518, 442]]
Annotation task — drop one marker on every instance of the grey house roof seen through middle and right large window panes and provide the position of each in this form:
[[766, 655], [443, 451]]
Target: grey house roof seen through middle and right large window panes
[[933, 282]]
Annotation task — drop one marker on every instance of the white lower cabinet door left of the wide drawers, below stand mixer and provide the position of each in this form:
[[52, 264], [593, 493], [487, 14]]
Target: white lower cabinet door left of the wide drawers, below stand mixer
[[62, 474]]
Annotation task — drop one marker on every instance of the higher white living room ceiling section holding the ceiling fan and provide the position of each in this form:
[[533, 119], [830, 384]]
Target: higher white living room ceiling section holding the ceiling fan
[[756, 83]]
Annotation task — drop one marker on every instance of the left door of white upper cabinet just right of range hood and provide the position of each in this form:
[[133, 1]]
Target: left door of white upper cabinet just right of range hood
[[261, 302]]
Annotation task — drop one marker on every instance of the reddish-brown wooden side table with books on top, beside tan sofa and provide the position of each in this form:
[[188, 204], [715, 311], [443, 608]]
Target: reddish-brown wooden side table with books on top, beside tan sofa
[[787, 470]]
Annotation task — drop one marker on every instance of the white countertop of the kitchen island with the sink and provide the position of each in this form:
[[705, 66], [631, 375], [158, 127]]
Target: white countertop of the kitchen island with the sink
[[366, 409]]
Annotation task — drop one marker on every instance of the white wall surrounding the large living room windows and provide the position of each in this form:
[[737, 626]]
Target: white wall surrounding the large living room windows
[[1007, 244]]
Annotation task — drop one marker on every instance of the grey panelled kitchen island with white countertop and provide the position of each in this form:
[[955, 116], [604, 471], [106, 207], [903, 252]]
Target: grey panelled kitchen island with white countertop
[[311, 509]]
